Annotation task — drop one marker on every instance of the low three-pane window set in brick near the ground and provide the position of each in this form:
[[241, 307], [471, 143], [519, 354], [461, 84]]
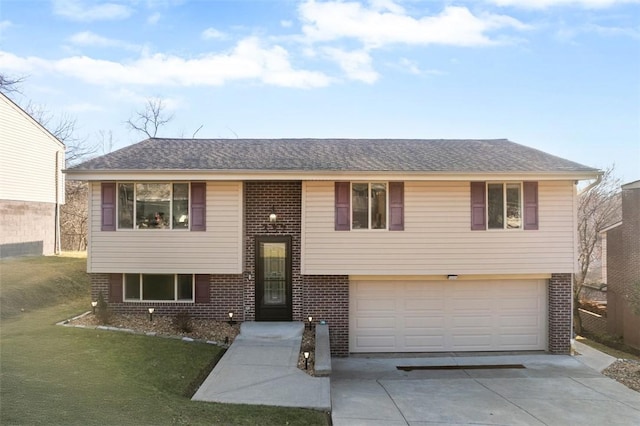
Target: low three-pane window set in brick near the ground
[[159, 287]]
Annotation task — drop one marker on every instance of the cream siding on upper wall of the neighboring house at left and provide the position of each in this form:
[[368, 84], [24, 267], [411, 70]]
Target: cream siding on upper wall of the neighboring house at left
[[28, 169]]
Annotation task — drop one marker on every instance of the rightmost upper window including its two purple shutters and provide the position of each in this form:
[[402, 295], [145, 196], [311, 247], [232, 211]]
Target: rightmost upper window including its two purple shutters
[[504, 205]]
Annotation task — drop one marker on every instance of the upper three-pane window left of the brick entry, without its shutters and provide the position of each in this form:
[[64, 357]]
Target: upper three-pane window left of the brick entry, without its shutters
[[153, 206]]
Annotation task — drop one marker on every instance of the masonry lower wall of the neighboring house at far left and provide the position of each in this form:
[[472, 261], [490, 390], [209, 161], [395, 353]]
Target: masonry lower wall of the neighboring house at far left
[[27, 228]]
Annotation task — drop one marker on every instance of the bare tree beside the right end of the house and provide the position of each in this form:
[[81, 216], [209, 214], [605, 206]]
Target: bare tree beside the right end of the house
[[598, 207]]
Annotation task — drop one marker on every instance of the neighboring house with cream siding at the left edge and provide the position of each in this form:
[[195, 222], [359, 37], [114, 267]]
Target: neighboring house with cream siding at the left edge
[[31, 184]]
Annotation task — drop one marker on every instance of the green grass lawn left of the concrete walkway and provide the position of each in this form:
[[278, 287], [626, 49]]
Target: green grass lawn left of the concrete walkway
[[58, 375]]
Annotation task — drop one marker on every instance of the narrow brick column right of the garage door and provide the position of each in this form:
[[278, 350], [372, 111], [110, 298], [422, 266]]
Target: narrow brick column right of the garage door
[[560, 295]]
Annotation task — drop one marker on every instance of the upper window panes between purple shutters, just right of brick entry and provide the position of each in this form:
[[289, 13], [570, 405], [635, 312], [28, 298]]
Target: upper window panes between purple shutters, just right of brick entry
[[369, 206]]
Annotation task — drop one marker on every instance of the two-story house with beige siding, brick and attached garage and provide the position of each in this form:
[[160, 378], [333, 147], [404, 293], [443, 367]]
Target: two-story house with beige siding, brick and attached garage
[[399, 245]]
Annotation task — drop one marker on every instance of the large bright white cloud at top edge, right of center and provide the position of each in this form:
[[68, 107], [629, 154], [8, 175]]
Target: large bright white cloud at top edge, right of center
[[376, 27]]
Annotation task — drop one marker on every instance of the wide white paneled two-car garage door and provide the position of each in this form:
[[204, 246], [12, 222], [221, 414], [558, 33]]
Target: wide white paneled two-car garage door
[[455, 315]]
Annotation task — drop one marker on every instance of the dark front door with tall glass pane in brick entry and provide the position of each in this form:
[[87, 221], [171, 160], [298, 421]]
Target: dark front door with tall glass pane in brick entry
[[273, 278]]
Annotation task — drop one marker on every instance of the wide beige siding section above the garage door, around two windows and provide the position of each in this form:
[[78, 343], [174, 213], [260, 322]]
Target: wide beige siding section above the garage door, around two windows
[[437, 238]]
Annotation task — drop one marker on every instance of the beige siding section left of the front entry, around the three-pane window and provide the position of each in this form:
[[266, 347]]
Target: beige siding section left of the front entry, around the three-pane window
[[217, 250]]
